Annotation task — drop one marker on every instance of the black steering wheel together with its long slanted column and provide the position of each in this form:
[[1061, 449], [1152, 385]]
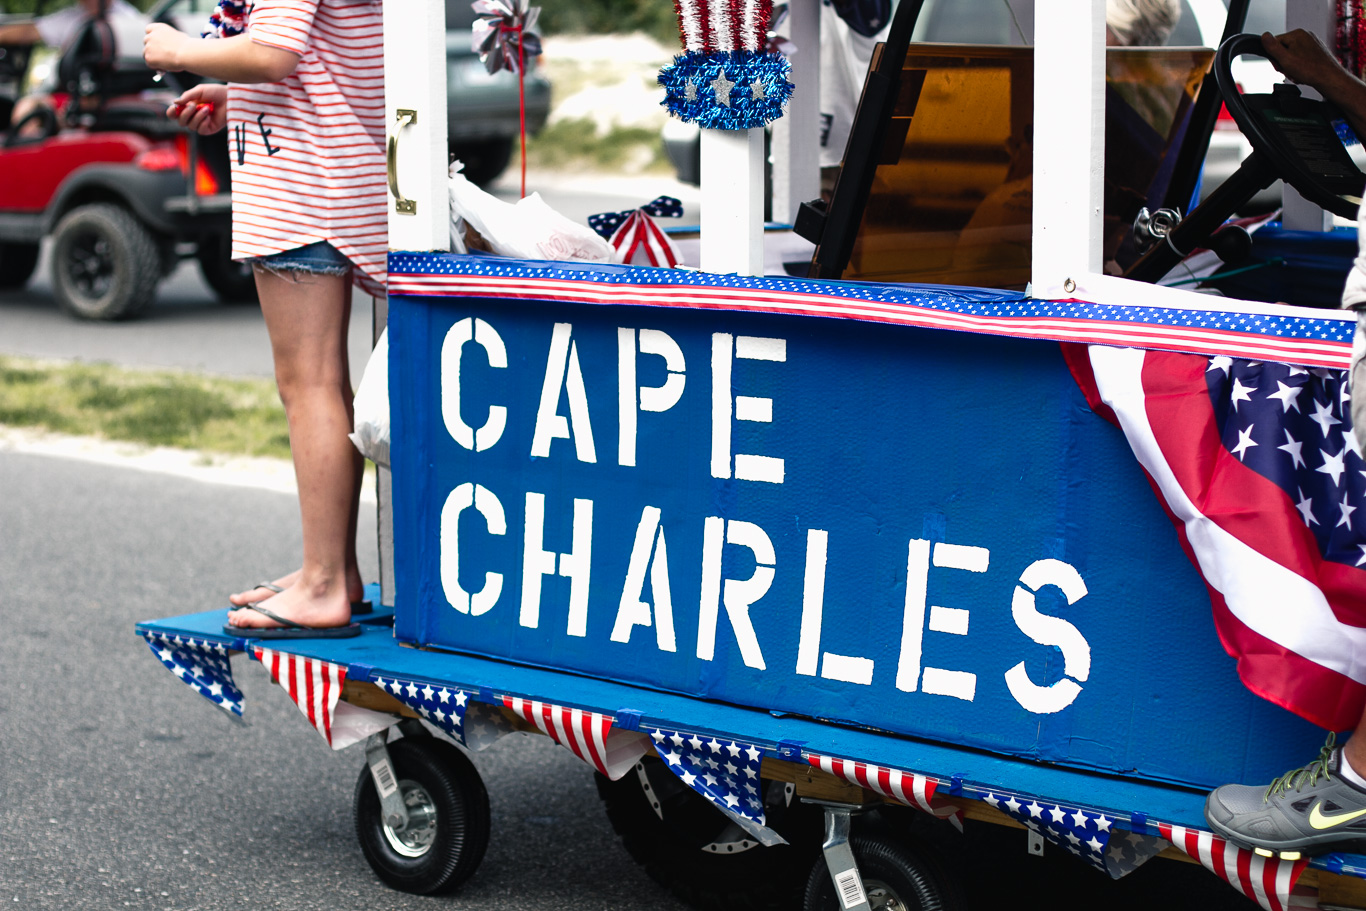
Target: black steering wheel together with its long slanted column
[[1293, 139]]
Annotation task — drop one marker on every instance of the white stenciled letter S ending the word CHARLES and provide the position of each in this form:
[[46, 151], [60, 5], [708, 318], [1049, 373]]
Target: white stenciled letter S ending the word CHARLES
[[1046, 630]]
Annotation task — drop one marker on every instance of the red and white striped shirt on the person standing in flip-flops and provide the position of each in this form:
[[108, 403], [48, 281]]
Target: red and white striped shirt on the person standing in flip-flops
[[308, 152]]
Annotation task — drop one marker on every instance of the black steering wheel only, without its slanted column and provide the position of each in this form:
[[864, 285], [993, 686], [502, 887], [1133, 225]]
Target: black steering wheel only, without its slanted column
[[1296, 135]]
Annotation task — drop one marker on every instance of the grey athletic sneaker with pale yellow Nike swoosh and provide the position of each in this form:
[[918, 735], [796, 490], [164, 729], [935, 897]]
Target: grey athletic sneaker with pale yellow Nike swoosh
[[1311, 811]]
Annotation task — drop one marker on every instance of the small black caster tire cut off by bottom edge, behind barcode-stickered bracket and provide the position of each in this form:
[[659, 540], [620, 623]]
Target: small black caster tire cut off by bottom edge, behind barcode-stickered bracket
[[895, 876]]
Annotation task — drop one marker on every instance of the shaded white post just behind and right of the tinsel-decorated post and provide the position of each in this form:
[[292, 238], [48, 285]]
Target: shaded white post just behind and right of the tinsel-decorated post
[[797, 154]]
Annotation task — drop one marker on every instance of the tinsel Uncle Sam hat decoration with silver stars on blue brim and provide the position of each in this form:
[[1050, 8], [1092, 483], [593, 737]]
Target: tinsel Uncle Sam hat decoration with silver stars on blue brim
[[726, 79]]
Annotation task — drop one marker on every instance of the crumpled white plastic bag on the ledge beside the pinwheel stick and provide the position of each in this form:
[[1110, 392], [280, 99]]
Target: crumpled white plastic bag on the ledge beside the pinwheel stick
[[527, 230]]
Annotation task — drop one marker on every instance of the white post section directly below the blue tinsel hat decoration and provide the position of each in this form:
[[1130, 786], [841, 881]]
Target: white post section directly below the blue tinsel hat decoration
[[733, 201]]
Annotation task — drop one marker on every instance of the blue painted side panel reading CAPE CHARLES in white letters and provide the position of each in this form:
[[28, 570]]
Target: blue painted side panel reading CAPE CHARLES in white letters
[[905, 529]]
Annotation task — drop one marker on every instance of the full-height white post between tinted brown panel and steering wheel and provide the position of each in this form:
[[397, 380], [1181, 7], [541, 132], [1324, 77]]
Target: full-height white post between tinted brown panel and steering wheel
[[1069, 144]]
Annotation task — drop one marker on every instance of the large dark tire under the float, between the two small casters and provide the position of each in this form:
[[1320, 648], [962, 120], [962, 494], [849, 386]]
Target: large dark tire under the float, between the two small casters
[[695, 852]]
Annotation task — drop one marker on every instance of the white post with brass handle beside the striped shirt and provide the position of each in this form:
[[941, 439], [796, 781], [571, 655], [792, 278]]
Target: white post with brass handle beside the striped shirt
[[415, 81]]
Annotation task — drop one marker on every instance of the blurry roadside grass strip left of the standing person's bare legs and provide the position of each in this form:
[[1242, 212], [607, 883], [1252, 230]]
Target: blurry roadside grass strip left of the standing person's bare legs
[[152, 408]]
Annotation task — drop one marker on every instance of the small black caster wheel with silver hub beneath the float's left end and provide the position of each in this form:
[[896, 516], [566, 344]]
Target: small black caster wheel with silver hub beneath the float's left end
[[442, 789]]
